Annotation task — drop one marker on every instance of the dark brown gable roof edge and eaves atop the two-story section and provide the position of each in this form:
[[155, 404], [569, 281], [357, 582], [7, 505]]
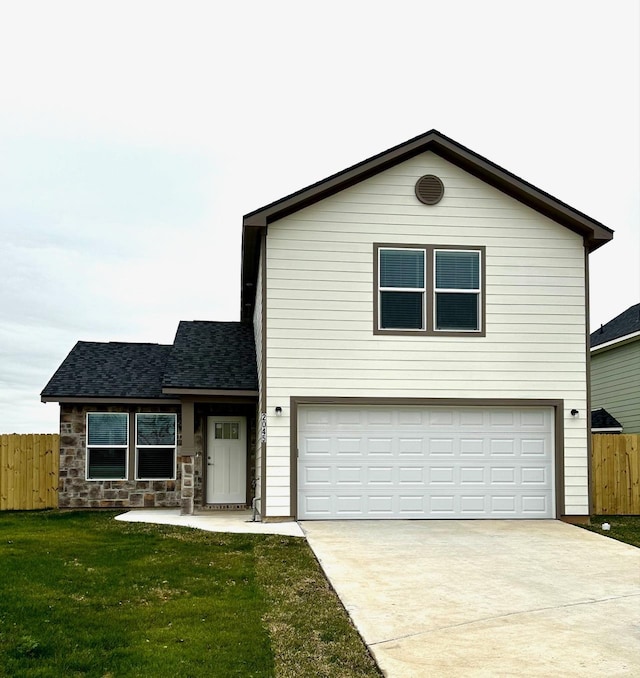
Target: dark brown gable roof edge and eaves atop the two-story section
[[594, 233]]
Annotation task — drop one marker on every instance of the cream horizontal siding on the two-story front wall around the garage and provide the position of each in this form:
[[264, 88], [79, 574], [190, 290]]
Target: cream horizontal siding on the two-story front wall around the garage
[[320, 293]]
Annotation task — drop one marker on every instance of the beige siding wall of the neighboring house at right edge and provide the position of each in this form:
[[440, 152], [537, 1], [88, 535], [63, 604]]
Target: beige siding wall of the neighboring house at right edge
[[615, 383]]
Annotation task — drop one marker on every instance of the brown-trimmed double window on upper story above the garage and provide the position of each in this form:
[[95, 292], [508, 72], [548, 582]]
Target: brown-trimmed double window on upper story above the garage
[[431, 290]]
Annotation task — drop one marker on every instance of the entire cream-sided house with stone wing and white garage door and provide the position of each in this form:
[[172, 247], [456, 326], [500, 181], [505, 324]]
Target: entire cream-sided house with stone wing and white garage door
[[420, 329]]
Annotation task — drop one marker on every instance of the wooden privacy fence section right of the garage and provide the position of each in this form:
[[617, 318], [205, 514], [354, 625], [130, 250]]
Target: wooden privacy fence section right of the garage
[[615, 474]]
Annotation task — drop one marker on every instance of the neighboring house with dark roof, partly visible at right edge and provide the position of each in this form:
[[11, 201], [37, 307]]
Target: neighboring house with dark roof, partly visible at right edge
[[615, 368]]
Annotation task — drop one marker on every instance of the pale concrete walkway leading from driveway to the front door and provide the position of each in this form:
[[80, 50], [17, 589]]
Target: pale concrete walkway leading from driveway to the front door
[[215, 521]]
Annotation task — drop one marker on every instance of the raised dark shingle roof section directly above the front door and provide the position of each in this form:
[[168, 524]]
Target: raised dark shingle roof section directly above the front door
[[214, 356]]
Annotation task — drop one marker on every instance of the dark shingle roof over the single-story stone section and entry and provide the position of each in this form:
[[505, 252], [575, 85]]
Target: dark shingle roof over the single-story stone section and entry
[[211, 357]]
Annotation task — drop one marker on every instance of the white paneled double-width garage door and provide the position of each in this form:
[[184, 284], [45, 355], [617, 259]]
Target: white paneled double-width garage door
[[419, 462]]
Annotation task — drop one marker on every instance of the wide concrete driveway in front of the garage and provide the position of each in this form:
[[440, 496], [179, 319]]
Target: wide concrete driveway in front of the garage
[[486, 598]]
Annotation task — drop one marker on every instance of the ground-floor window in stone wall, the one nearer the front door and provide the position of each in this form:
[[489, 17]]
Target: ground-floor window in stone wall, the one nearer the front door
[[155, 446]]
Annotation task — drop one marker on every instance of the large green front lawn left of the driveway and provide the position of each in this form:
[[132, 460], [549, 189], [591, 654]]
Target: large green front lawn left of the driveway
[[84, 595]]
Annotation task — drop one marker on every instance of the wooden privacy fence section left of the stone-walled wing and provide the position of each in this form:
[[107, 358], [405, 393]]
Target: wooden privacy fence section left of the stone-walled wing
[[29, 471]]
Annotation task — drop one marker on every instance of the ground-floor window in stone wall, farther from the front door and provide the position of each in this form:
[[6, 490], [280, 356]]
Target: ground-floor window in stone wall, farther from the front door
[[107, 443]]
